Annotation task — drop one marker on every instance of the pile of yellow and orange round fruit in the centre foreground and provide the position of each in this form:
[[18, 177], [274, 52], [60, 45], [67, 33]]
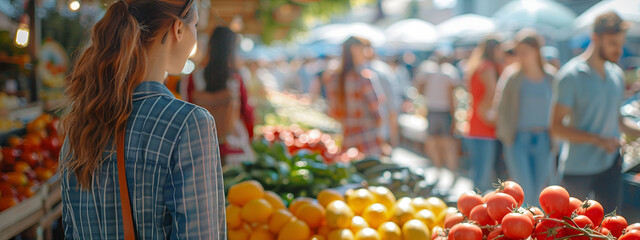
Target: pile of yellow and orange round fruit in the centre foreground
[[361, 214]]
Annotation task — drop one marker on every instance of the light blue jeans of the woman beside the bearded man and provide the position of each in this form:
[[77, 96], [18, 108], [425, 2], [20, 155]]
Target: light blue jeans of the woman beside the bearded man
[[530, 163]]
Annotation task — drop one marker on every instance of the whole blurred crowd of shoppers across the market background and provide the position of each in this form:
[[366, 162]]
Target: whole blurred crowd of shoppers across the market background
[[544, 122]]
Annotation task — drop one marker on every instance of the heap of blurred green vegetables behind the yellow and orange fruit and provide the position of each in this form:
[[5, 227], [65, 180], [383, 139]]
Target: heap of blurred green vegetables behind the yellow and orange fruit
[[304, 173]]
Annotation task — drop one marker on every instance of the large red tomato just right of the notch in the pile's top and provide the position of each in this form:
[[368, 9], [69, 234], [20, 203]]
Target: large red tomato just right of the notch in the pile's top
[[555, 201]]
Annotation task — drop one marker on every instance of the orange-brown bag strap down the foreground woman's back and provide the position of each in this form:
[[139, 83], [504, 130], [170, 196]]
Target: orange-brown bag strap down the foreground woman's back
[[127, 220]]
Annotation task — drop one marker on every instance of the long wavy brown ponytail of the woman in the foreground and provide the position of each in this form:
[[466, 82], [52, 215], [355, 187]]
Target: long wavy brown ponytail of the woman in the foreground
[[101, 84]]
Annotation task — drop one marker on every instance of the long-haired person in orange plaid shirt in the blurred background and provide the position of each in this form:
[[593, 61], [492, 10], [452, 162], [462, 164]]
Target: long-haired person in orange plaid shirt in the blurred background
[[355, 101]]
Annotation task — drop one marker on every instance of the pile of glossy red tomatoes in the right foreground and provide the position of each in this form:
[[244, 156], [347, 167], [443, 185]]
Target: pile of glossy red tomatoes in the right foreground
[[501, 214]]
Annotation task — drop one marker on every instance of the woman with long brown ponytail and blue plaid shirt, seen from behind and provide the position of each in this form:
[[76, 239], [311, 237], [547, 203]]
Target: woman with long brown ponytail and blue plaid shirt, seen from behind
[[136, 161]]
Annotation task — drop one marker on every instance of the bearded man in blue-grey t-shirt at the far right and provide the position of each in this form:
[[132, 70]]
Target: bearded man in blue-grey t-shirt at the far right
[[589, 93]]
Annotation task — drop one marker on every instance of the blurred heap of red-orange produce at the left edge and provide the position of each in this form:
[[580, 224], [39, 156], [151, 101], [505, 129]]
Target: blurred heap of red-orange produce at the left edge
[[28, 161]]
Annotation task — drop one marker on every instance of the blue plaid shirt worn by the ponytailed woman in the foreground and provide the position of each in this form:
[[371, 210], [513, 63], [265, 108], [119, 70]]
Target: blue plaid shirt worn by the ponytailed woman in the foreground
[[173, 174]]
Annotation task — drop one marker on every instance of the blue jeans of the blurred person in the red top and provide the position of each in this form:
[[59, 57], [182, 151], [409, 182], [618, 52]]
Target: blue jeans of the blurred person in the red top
[[482, 155]]
